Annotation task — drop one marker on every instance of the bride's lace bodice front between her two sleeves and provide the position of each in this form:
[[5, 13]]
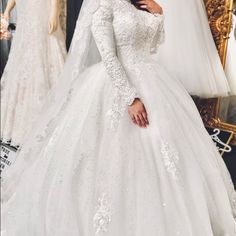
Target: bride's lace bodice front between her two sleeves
[[134, 31]]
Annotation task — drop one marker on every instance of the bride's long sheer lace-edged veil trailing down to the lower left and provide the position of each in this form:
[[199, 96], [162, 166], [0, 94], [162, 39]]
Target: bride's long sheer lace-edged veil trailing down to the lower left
[[82, 54]]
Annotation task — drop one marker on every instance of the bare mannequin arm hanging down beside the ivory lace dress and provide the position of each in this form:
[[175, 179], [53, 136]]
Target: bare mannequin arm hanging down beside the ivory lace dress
[[54, 16]]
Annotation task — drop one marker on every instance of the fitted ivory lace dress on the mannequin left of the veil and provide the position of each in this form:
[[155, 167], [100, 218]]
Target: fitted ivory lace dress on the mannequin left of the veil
[[34, 64]]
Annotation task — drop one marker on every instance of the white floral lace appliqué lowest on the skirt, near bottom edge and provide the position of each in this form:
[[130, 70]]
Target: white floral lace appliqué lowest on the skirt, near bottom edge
[[102, 217]]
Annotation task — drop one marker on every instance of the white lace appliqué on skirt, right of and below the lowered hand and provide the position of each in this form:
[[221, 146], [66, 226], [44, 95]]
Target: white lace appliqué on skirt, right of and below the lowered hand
[[171, 159]]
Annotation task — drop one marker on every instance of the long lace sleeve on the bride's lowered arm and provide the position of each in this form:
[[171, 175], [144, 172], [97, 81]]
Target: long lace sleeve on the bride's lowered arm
[[102, 29]]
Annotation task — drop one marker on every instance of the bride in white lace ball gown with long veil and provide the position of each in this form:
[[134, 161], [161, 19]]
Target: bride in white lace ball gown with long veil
[[122, 149]]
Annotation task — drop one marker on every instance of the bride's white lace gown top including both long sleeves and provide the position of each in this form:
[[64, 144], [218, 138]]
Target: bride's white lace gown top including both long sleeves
[[124, 36]]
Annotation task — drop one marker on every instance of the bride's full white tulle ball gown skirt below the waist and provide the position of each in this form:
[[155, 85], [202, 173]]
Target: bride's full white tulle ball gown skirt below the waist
[[93, 179]]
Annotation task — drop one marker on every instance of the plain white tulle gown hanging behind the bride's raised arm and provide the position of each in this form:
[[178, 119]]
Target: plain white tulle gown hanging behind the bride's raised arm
[[189, 52]]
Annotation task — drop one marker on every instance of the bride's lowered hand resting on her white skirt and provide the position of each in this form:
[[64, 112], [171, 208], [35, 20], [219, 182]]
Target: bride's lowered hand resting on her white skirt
[[138, 113]]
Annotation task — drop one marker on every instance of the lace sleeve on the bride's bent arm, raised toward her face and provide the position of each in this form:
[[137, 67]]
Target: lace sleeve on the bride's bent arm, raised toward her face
[[159, 37]]
